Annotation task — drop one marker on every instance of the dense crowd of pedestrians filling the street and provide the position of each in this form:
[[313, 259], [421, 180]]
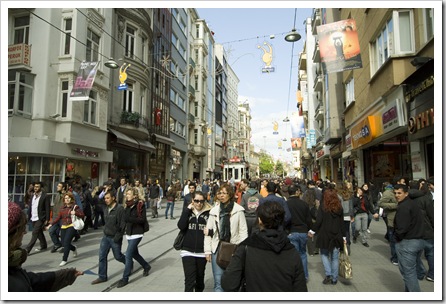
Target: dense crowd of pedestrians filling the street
[[275, 224]]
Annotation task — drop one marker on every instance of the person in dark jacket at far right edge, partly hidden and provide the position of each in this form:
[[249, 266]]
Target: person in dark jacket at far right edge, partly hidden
[[420, 193]]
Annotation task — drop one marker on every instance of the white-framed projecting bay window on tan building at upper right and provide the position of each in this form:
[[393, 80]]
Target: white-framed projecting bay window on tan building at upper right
[[395, 38]]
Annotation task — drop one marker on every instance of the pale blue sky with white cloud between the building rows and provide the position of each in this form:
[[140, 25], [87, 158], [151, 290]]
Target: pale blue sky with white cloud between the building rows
[[270, 95]]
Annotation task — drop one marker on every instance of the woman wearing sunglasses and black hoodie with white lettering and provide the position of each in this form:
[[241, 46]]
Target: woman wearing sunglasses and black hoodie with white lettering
[[193, 220]]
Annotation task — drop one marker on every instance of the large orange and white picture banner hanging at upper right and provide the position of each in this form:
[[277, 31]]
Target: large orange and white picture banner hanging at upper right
[[339, 46]]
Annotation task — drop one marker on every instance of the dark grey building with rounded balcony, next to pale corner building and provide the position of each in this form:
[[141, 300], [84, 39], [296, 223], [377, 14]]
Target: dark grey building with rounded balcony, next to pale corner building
[[129, 112]]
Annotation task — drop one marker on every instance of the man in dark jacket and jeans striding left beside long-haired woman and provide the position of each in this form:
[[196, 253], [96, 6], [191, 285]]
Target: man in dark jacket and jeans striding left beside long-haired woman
[[113, 232]]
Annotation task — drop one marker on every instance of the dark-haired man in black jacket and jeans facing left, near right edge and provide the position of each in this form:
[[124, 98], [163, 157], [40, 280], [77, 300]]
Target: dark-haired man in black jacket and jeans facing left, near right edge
[[409, 231]]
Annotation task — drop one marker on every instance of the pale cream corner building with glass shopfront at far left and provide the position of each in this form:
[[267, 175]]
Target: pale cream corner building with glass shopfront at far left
[[50, 137]]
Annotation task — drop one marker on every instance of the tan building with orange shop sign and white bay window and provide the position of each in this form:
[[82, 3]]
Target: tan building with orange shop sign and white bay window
[[377, 121]]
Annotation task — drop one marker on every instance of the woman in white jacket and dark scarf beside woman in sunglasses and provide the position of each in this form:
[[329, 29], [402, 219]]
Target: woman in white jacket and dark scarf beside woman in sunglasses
[[226, 222]]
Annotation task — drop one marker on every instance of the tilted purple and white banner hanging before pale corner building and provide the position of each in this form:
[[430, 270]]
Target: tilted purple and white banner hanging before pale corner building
[[84, 80]]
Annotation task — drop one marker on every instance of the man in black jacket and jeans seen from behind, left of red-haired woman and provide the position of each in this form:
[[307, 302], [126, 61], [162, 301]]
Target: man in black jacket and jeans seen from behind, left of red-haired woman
[[300, 224]]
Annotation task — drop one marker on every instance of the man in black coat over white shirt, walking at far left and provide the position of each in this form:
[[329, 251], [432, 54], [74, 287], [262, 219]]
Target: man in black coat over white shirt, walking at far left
[[39, 214]]
